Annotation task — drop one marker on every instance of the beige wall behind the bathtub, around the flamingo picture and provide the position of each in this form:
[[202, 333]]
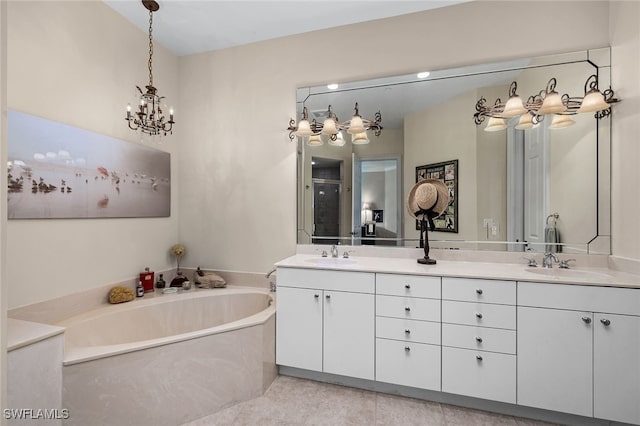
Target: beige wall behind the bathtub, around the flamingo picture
[[78, 63]]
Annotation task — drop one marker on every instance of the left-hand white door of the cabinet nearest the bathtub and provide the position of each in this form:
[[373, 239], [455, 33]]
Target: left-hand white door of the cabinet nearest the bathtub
[[299, 328]]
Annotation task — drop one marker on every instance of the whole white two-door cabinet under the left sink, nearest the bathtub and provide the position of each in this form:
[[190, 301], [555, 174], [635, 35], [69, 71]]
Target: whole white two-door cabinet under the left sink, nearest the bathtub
[[325, 321]]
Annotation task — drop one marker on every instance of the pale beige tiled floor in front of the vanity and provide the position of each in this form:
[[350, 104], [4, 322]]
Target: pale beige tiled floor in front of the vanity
[[292, 401]]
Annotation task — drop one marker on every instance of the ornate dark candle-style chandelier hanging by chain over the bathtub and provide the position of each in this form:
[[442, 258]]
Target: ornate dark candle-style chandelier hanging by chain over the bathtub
[[149, 117]]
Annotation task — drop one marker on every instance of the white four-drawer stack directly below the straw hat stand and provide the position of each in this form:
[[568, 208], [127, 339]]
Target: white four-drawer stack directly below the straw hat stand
[[408, 330]]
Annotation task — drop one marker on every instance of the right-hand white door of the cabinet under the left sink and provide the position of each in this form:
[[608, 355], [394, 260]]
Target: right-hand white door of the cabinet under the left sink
[[349, 338]]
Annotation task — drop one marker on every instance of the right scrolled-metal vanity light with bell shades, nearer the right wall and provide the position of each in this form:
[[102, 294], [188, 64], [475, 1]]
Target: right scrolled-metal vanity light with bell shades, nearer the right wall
[[546, 102]]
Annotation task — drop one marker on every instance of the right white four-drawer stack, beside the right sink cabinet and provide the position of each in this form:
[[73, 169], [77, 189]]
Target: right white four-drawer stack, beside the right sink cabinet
[[479, 338]]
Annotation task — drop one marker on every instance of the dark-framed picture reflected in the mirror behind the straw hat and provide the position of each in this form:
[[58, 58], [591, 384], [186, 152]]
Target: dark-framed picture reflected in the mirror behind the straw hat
[[446, 172]]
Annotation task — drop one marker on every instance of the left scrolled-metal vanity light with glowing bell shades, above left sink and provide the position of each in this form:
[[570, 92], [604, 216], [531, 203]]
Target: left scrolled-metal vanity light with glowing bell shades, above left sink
[[332, 128]]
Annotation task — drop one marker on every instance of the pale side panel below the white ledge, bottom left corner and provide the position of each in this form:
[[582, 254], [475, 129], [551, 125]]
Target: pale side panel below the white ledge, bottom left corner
[[34, 379]]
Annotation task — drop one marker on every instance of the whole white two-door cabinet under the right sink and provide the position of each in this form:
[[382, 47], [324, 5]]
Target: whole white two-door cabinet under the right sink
[[579, 350]]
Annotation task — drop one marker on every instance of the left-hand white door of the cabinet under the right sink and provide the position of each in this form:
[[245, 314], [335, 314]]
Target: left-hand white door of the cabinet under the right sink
[[555, 360]]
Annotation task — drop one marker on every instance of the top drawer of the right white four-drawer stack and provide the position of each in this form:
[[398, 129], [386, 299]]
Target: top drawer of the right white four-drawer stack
[[478, 290]]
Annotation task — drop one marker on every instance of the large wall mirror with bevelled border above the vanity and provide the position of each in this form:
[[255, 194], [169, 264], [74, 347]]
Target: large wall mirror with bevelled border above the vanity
[[514, 190]]
